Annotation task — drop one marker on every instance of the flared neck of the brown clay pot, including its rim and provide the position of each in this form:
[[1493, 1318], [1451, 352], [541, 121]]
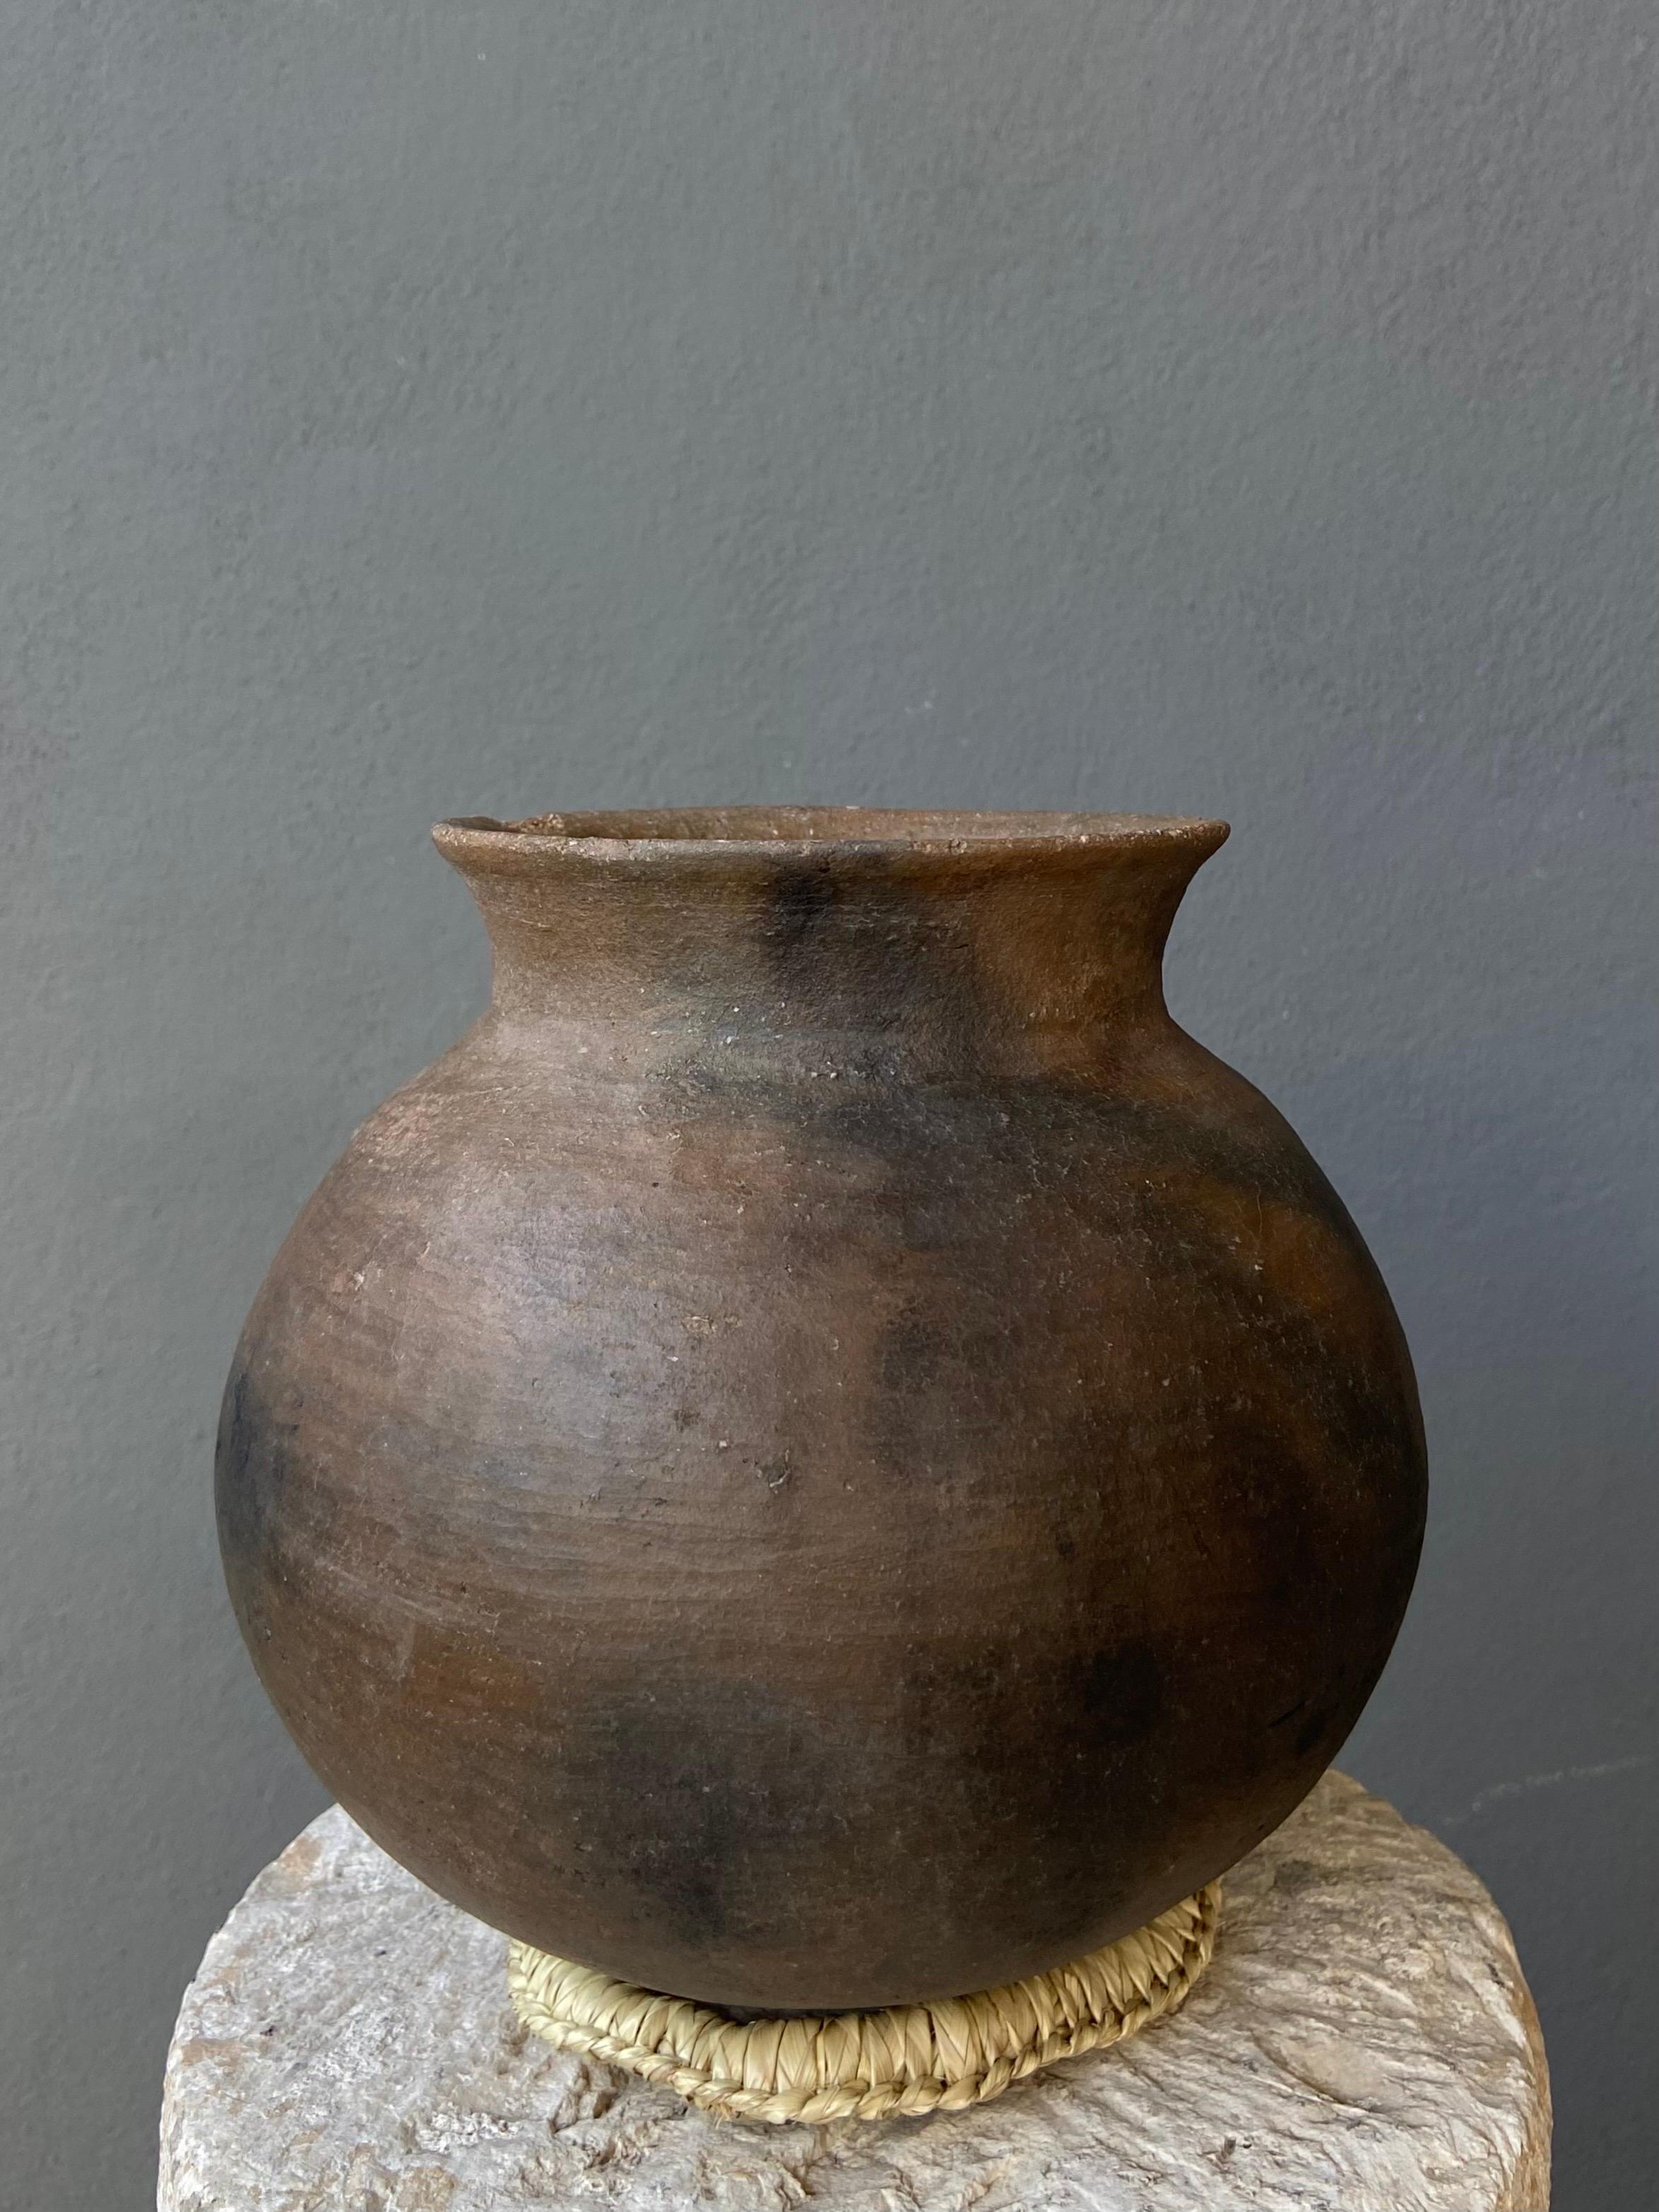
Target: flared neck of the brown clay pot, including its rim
[[968, 943]]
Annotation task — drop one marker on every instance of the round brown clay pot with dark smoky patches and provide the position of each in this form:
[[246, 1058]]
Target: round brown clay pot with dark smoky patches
[[826, 1454]]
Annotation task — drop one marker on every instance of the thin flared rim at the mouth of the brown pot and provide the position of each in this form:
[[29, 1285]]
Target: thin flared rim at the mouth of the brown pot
[[802, 833]]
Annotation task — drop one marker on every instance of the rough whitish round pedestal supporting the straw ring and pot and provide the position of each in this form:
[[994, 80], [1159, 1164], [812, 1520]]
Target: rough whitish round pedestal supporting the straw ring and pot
[[1364, 2043]]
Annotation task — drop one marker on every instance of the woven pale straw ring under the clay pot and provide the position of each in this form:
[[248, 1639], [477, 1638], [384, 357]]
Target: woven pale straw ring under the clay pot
[[910, 2058]]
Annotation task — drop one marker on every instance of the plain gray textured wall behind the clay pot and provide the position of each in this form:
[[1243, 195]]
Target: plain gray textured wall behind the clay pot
[[421, 408]]
